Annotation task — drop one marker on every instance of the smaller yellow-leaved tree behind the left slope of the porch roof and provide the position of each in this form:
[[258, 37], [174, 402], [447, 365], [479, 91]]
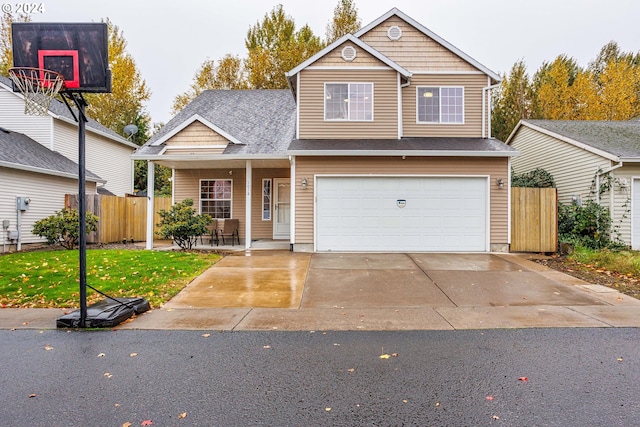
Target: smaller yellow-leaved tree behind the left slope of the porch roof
[[227, 73]]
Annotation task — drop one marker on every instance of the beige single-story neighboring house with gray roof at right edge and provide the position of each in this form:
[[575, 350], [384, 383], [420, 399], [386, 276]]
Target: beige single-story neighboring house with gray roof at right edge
[[583, 156]]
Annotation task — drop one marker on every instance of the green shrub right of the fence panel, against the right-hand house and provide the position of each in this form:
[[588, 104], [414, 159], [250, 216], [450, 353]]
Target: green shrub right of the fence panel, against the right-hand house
[[587, 225]]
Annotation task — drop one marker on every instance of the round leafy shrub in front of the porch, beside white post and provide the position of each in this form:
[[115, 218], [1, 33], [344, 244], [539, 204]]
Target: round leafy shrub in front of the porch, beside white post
[[181, 224]]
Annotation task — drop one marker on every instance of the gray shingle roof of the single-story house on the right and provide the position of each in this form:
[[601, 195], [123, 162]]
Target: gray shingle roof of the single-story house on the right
[[620, 138]]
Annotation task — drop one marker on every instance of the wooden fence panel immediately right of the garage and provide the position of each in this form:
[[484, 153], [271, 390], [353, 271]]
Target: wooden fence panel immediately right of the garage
[[534, 219]]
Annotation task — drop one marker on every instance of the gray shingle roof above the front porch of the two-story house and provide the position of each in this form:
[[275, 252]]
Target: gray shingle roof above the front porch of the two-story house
[[263, 121]]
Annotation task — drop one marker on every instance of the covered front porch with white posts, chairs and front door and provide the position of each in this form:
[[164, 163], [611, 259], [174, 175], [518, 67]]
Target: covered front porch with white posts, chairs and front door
[[257, 192]]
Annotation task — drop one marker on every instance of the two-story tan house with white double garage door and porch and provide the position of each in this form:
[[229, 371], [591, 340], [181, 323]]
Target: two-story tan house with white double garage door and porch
[[382, 143]]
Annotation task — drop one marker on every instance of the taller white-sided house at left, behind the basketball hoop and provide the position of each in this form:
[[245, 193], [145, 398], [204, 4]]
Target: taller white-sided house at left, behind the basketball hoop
[[107, 154]]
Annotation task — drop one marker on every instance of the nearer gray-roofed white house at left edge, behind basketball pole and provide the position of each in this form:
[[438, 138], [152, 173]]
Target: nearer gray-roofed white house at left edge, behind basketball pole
[[30, 170]]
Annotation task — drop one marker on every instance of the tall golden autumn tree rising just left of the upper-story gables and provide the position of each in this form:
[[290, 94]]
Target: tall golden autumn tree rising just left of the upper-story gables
[[275, 47]]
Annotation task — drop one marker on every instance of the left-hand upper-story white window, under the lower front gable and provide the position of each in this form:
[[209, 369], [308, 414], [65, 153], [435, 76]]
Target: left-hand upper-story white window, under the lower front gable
[[348, 101]]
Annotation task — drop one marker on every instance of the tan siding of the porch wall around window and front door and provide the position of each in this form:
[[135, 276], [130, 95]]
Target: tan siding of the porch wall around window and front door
[[187, 186]]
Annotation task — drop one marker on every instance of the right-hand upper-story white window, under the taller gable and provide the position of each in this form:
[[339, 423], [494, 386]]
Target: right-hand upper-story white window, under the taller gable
[[440, 104]]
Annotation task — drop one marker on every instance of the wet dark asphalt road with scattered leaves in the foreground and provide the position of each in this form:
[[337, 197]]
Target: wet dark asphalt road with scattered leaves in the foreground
[[574, 377]]
